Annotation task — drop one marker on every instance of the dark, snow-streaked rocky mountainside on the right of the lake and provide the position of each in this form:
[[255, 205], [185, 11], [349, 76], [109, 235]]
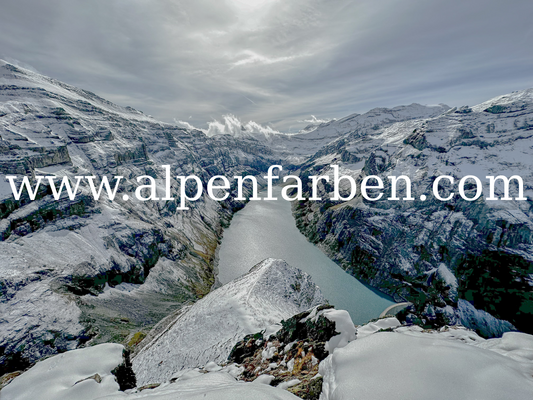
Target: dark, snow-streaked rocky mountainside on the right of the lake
[[427, 251]]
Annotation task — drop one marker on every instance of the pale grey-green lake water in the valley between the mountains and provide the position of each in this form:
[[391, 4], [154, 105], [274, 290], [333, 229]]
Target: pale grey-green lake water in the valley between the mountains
[[266, 229]]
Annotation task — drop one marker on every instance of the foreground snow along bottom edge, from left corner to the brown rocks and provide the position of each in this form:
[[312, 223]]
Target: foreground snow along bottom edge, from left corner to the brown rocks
[[85, 374]]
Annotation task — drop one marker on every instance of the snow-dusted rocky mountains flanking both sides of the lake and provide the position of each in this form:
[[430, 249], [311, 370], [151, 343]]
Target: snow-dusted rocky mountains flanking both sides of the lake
[[96, 271]]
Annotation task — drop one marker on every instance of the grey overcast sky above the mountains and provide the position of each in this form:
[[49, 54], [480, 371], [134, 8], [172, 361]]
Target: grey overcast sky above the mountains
[[276, 62]]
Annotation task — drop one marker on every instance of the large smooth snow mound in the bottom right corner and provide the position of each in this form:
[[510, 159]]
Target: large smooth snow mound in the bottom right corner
[[395, 365]]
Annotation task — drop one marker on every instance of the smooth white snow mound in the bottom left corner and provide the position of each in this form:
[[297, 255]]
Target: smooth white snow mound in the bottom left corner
[[58, 377]]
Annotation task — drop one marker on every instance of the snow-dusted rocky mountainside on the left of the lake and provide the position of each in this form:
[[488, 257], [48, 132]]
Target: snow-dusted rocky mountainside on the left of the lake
[[87, 269]]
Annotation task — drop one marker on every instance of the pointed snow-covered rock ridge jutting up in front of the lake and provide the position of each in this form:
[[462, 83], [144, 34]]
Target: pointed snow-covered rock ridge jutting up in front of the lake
[[208, 330]]
